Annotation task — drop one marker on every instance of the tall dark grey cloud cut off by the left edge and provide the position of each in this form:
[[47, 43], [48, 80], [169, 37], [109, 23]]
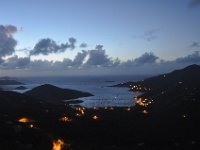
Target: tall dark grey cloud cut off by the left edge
[[7, 42]]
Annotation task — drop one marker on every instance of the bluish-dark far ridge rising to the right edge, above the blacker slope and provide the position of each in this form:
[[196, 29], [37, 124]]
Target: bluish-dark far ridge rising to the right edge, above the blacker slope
[[189, 75]]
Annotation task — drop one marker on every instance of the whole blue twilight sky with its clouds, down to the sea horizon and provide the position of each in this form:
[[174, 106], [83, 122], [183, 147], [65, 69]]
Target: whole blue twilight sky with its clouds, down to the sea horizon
[[98, 37]]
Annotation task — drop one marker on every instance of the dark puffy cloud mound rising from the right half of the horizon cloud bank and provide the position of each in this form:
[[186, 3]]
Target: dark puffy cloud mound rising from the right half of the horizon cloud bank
[[146, 58]]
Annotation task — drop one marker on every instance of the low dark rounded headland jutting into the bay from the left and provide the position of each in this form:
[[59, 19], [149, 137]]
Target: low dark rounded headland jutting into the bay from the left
[[49, 92]]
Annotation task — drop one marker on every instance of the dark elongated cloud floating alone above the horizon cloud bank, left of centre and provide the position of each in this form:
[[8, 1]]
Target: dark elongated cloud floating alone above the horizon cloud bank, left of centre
[[47, 46]]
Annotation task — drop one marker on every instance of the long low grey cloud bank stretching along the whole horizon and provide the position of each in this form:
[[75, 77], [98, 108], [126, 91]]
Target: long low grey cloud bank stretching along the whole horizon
[[144, 64]]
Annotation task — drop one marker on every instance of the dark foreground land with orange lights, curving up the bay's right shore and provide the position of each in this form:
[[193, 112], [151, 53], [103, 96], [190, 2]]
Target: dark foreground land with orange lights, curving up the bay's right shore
[[164, 118]]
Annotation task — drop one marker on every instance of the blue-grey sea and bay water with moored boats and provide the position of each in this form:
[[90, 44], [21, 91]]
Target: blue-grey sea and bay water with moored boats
[[100, 86]]
